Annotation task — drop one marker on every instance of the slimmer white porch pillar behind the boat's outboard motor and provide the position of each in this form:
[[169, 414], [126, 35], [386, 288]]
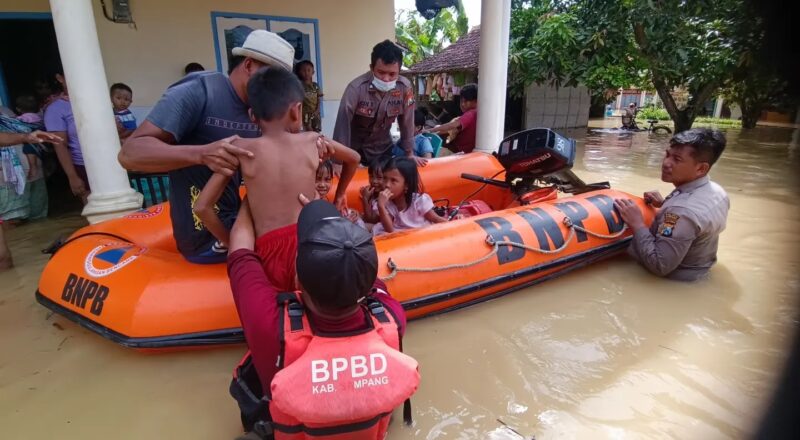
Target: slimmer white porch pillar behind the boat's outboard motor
[[492, 73]]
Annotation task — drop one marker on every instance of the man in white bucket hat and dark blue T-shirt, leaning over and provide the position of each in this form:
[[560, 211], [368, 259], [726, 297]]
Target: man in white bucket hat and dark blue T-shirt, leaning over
[[189, 133]]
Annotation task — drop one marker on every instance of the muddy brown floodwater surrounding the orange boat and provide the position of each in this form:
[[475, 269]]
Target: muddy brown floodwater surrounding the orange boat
[[608, 351]]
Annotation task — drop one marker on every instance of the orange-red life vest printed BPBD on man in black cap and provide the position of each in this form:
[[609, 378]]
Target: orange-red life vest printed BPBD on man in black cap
[[336, 386]]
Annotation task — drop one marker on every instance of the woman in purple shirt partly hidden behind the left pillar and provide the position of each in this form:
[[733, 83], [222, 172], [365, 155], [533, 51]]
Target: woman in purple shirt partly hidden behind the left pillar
[[59, 120]]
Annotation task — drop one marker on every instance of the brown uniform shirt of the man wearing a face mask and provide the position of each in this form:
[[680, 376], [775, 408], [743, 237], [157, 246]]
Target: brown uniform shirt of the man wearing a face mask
[[366, 116]]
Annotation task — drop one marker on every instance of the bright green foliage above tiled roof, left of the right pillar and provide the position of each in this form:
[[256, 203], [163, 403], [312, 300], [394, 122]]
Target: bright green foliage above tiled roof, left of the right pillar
[[424, 38]]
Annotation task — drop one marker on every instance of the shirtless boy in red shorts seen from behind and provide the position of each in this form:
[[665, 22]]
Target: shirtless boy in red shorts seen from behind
[[283, 165]]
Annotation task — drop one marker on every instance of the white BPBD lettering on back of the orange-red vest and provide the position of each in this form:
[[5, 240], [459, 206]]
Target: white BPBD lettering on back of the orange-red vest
[[364, 370]]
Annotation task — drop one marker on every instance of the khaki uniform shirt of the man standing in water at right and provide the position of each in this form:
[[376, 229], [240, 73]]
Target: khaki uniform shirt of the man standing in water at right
[[682, 241]]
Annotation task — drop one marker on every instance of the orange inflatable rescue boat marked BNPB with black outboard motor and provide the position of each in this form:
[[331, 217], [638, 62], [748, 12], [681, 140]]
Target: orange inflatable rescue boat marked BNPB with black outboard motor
[[125, 280]]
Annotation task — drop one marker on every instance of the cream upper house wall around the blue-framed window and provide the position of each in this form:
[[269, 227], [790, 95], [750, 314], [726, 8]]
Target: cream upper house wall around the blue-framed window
[[170, 34]]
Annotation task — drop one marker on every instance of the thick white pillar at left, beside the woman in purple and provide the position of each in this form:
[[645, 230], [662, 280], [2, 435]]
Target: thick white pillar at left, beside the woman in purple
[[112, 195]]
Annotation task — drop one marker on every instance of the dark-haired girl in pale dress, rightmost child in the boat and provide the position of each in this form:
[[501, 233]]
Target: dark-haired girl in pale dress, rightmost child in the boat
[[401, 205]]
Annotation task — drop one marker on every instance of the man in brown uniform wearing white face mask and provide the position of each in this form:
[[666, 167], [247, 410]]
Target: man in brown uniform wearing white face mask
[[372, 102]]
